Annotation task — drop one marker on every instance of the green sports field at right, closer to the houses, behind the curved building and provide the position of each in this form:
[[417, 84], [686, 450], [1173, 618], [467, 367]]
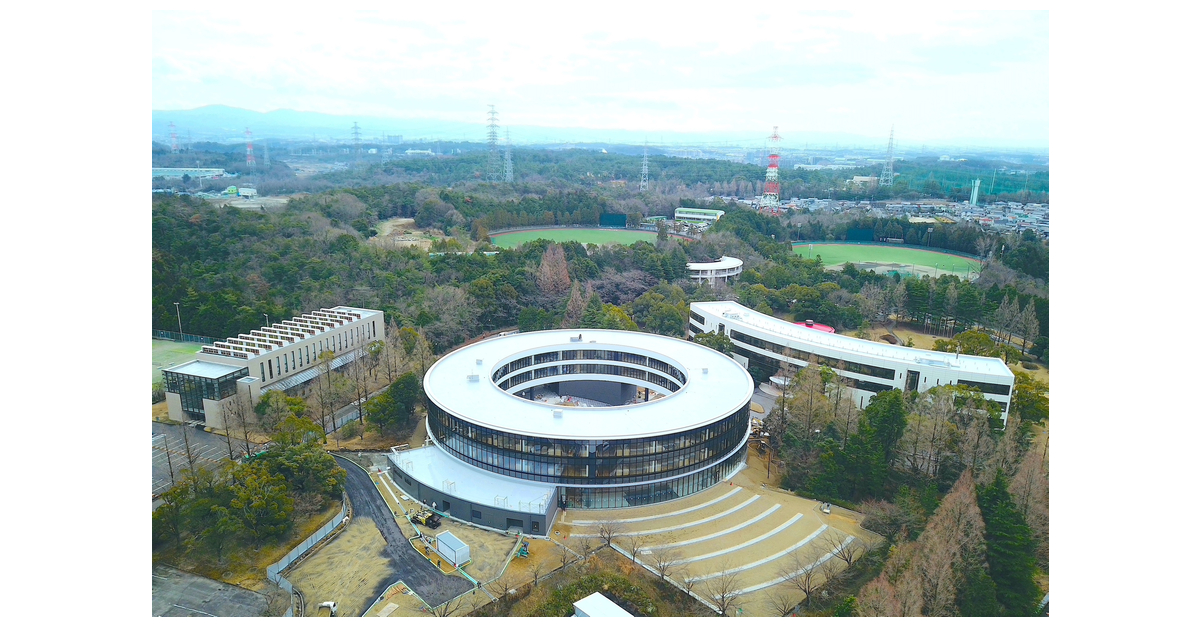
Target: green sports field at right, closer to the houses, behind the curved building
[[885, 260]]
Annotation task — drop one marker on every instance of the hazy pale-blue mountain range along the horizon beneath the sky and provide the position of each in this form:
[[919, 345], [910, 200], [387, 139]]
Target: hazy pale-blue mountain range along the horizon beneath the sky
[[219, 123]]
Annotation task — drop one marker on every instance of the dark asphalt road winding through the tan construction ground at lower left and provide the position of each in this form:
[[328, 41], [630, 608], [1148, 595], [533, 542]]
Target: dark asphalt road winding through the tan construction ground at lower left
[[407, 565]]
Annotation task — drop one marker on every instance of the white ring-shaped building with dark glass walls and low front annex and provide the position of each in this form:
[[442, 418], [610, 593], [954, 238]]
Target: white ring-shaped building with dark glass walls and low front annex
[[525, 425]]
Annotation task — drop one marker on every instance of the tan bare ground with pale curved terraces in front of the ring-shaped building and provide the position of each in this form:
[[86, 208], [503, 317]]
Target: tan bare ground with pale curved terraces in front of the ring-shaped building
[[747, 527]]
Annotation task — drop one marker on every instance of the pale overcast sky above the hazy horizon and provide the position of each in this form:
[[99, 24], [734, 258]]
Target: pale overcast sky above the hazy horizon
[[940, 76]]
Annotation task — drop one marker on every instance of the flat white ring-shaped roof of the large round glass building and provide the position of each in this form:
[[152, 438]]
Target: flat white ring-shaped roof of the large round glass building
[[461, 384]]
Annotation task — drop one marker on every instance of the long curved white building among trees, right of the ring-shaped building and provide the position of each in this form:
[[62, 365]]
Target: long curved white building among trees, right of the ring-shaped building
[[765, 342]]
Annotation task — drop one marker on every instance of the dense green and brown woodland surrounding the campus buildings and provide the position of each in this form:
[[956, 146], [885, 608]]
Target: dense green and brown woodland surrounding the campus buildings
[[963, 504]]
